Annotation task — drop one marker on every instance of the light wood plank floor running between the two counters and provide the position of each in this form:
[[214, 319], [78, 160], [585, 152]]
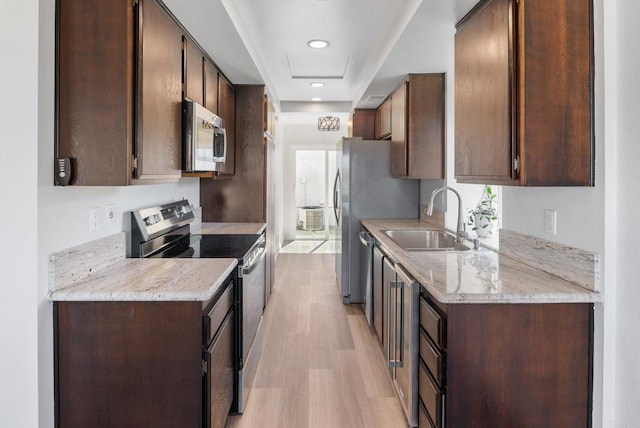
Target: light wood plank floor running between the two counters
[[321, 366]]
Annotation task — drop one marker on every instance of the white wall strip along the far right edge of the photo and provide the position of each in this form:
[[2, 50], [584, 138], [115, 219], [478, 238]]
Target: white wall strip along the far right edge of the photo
[[627, 364]]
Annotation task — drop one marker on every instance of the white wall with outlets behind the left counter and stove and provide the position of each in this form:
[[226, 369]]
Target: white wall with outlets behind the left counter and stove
[[63, 212]]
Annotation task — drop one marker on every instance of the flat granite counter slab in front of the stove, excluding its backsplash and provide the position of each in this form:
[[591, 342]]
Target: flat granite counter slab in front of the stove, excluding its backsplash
[[150, 280]]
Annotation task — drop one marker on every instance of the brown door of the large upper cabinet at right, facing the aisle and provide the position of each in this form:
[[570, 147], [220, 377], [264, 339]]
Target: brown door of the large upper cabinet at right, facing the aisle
[[484, 104]]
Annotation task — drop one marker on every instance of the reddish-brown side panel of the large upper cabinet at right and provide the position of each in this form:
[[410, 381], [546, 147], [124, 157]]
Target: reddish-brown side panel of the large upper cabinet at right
[[556, 93]]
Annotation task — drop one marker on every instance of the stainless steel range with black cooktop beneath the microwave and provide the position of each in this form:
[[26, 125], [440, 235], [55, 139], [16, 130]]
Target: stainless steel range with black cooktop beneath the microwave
[[163, 231]]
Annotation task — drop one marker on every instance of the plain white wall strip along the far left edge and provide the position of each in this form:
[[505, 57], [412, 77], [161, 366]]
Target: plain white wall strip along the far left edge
[[19, 172]]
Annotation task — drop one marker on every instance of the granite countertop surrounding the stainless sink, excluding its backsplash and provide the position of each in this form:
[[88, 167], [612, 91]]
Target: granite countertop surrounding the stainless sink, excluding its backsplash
[[477, 276]]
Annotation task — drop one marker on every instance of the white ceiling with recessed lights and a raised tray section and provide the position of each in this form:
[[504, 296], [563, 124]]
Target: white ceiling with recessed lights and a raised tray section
[[373, 43]]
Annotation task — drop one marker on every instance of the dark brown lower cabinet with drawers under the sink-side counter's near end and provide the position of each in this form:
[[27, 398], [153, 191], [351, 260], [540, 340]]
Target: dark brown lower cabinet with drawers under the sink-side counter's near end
[[507, 365]]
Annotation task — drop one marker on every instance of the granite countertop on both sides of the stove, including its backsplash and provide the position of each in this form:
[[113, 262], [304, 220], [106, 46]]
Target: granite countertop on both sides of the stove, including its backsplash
[[98, 270]]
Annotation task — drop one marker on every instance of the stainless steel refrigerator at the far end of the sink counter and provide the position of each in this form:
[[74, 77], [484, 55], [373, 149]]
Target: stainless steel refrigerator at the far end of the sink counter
[[364, 188]]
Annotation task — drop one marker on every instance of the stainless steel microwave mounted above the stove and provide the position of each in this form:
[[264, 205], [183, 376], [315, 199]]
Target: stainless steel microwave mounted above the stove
[[205, 139]]
